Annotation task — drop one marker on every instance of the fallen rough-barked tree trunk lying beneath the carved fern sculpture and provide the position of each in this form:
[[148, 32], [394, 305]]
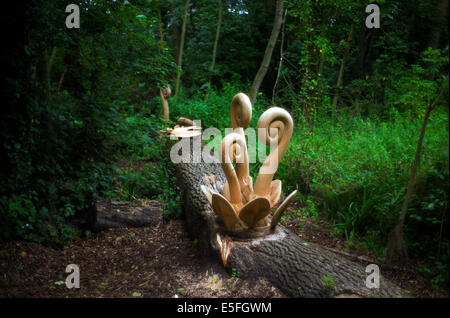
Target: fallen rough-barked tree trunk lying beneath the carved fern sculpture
[[298, 268]]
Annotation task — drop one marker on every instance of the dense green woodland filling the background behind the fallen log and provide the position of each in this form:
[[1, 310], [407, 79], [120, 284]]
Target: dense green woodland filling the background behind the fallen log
[[82, 114]]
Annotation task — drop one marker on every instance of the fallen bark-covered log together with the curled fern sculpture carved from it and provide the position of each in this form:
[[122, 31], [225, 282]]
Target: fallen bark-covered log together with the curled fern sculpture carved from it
[[271, 252]]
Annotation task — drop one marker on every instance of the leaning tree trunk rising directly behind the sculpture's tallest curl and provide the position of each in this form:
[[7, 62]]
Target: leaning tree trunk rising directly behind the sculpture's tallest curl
[[268, 53]]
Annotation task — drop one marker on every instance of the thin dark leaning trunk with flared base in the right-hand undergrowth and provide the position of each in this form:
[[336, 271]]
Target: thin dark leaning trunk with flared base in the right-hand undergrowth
[[396, 250]]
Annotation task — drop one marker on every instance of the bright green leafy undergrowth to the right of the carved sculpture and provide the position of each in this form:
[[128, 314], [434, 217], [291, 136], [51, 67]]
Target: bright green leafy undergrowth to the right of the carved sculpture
[[353, 173]]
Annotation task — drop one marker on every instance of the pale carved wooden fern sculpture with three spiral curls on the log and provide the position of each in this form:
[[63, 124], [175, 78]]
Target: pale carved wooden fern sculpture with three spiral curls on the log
[[239, 204]]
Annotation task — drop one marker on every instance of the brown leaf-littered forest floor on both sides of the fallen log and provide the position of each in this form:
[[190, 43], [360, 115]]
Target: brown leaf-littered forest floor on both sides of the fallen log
[[159, 261]]
